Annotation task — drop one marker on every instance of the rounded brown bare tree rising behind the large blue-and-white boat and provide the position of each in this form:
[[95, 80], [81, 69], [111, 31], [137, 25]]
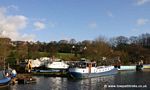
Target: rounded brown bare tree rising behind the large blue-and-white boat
[[98, 49]]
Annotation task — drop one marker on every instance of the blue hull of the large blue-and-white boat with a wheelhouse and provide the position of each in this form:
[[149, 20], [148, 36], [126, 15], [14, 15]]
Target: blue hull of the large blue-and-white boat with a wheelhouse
[[90, 75]]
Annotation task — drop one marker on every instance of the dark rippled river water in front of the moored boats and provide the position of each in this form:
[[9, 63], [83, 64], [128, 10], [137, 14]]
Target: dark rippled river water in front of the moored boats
[[124, 80]]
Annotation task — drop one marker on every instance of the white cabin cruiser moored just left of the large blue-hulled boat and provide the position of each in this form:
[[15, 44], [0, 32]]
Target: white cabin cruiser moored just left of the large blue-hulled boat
[[58, 64]]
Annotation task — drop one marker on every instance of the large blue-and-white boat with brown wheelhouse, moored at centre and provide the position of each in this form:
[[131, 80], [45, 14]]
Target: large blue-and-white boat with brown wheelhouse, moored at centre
[[85, 69]]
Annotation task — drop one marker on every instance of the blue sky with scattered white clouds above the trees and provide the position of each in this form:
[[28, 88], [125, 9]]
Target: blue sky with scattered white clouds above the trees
[[54, 20]]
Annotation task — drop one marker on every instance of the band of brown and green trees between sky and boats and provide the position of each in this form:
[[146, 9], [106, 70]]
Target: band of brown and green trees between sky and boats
[[128, 50]]
